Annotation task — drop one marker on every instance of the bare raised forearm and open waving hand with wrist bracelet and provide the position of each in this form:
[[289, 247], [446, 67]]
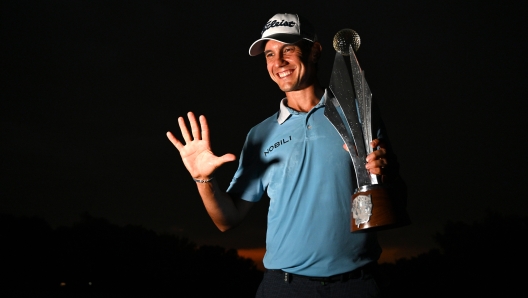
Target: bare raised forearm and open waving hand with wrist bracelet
[[225, 211]]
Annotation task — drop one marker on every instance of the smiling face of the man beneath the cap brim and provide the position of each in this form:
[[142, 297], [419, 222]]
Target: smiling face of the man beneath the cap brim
[[288, 66]]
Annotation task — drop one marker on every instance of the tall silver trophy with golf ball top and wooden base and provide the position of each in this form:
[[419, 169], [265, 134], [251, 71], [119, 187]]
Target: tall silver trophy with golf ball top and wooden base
[[375, 206]]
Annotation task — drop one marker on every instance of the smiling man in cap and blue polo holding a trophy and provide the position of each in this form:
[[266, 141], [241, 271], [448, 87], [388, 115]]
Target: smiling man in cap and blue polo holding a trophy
[[299, 159]]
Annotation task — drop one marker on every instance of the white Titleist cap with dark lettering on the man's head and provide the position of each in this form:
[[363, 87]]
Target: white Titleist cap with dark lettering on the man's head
[[285, 28]]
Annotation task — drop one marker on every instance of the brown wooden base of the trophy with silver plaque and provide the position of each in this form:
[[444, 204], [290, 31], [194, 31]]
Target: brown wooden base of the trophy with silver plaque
[[386, 204]]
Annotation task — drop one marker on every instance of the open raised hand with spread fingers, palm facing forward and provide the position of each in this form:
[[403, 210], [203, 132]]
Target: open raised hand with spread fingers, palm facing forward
[[196, 154]]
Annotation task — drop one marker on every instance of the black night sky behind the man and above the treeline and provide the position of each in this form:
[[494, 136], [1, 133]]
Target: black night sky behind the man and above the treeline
[[89, 89]]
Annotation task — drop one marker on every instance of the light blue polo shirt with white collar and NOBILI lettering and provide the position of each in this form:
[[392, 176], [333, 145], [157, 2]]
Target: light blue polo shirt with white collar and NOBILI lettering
[[299, 160]]
